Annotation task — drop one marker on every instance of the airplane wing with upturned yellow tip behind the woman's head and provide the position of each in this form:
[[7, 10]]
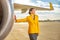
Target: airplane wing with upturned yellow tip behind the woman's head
[[24, 8]]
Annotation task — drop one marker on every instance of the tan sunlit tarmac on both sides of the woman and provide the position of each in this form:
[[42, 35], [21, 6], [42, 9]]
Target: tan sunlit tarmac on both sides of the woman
[[48, 31]]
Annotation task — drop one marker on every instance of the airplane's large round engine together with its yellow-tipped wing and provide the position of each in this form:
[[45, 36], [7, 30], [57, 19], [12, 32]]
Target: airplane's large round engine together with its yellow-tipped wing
[[6, 15]]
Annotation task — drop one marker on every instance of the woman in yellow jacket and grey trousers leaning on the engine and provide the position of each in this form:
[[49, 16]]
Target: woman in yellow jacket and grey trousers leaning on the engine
[[32, 20]]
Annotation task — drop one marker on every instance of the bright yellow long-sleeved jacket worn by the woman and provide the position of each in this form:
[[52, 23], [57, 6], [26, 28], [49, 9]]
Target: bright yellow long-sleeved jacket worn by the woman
[[33, 24]]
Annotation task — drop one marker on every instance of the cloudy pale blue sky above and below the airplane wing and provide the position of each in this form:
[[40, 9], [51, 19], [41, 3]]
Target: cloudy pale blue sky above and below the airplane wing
[[43, 15]]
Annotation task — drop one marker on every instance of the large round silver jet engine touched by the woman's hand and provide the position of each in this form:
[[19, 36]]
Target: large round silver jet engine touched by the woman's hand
[[6, 18]]
